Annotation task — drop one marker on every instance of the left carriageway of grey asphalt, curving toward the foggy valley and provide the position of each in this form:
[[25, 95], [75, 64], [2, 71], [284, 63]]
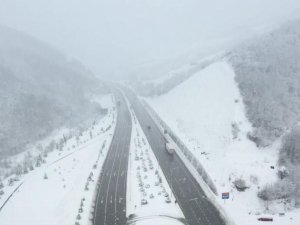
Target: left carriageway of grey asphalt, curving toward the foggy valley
[[110, 208]]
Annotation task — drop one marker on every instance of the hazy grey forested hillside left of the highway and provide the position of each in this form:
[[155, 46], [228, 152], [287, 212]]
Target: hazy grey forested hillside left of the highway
[[40, 90]]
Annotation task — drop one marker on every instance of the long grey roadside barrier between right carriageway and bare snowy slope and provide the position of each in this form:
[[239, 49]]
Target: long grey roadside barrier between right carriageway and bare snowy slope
[[187, 153]]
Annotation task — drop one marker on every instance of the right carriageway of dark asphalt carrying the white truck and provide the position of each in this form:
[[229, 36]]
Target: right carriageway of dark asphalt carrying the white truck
[[197, 209]]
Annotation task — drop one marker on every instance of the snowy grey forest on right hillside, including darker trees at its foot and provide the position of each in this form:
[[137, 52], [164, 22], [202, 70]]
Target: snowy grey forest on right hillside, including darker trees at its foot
[[268, 74]]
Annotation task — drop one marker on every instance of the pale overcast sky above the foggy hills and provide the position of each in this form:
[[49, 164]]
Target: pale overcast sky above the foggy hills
[[112, 36]]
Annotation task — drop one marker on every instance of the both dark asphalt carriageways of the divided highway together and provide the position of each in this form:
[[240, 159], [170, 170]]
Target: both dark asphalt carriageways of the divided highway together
[[110, 208]]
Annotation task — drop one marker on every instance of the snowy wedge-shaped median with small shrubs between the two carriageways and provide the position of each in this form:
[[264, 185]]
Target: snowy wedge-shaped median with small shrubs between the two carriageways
[[146, 182]]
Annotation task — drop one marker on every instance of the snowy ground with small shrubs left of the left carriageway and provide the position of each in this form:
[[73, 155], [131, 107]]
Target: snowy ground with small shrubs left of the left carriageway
[[61, 190]]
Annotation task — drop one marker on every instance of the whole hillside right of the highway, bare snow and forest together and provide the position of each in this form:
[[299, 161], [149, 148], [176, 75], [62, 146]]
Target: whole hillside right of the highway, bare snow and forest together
[[233, 116]]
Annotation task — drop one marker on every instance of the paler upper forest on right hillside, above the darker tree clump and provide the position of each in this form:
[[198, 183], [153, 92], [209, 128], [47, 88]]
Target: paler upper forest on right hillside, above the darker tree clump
[[268, 75]]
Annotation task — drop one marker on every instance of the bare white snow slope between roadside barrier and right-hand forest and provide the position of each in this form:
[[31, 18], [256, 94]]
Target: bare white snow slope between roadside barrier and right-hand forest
[[207, 113]]
